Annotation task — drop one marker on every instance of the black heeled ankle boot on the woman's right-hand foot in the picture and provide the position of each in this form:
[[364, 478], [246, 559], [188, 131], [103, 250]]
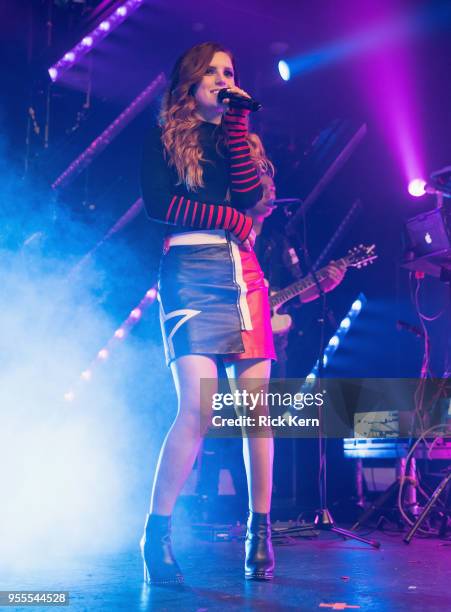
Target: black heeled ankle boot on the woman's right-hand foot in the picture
[[259, 564]]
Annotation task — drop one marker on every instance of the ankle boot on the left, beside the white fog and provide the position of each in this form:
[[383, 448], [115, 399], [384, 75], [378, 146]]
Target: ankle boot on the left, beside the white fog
[[160, 566]]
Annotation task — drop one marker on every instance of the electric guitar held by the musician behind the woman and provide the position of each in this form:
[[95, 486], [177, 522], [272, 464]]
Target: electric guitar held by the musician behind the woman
[[358, 257]]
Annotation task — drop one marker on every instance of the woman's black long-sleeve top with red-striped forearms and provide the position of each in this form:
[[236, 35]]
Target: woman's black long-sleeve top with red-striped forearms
[[206, 208]]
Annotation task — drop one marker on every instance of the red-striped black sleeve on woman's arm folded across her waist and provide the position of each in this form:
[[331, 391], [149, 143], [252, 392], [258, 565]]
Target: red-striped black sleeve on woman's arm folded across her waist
[[163, 204]]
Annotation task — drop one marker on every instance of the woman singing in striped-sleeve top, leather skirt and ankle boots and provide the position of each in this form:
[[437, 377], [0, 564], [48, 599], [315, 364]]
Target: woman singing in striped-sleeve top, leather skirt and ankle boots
[[199, 178]]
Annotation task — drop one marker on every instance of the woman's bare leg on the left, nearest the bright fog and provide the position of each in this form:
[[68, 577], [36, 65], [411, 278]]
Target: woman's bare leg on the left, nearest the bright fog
[[182, 442]]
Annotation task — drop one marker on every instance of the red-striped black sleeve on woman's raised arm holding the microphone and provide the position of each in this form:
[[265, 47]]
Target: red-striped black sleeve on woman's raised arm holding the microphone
[[245, 185]]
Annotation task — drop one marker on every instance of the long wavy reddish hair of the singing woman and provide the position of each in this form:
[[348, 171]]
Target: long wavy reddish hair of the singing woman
[[179, 119]]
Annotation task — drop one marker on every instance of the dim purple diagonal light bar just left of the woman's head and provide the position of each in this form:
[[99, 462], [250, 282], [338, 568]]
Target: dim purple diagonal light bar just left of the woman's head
[[110, 133]]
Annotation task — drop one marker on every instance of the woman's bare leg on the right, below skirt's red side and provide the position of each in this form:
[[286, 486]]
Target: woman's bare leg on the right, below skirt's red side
[[258, 452]]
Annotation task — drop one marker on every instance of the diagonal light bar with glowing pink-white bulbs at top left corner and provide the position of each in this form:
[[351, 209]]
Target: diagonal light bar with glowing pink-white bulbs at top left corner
[[73, 56]]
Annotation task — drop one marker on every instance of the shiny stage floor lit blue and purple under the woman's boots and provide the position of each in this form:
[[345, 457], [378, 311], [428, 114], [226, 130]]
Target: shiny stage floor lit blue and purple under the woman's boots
[[324, 570]]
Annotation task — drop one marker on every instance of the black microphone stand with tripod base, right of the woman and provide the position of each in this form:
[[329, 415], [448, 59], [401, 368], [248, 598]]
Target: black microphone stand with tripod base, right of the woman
[[323, 520]]
